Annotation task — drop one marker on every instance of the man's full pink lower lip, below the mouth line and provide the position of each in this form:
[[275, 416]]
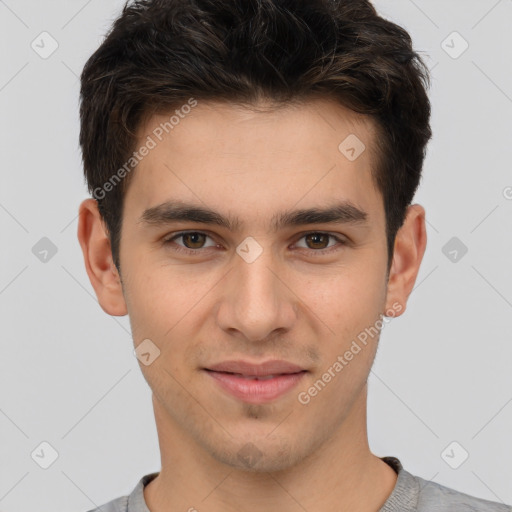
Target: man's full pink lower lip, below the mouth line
[[256, 391]]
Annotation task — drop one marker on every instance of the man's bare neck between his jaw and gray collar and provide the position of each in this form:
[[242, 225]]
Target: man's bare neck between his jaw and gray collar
[[340, 474]]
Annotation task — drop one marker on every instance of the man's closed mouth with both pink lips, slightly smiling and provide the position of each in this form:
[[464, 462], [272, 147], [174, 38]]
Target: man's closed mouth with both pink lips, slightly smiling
[[256, 384]]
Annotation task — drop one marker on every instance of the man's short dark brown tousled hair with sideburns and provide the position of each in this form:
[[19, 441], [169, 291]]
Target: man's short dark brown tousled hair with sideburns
[[160, 53]]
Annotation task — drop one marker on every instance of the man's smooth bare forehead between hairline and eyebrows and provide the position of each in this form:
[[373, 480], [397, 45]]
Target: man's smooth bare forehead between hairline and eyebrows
[[257, 162]]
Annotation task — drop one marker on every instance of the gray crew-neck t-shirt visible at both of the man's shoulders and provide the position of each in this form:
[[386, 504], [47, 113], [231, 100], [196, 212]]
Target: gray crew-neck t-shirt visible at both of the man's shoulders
[[410, 494]]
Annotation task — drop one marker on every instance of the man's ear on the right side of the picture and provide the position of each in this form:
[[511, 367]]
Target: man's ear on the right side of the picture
[[410, 244]]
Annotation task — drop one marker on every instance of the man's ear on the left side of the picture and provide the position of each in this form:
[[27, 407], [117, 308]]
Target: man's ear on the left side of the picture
[[99, 263]]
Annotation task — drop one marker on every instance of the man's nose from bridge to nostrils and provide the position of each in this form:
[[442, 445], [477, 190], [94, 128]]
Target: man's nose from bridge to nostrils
[[257, 299]]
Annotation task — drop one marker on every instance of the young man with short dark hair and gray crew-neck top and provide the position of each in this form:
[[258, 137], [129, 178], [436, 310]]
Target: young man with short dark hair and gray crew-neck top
[[252, 166]]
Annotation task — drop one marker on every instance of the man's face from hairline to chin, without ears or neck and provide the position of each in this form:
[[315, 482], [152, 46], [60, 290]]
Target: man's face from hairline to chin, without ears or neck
[[268, 282]]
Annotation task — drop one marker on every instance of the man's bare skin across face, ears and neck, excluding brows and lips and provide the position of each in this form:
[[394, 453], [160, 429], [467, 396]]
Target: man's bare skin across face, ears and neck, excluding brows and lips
[[292, 303]]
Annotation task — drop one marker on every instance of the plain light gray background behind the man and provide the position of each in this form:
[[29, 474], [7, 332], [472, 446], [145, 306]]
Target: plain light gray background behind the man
[[67, 371]]
